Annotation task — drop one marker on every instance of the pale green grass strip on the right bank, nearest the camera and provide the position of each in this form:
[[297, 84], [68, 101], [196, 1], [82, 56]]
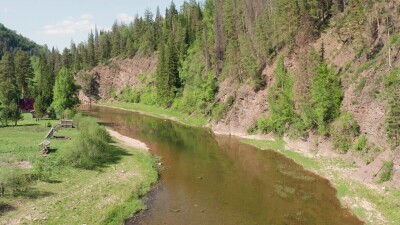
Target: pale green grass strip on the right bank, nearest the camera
[[351, 192]]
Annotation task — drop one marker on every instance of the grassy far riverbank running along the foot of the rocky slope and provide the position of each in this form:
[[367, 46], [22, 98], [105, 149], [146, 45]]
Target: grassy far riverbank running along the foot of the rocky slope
[[371, 202]]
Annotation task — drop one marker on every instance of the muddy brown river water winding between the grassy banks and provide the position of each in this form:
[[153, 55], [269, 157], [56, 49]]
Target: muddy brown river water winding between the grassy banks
[[210, 179]]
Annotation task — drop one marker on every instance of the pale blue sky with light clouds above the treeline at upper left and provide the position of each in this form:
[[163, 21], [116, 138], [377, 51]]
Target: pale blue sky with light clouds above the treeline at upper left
[[57, 22]]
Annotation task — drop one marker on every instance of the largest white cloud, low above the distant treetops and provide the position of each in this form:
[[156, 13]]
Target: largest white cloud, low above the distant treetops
[[70, 25]]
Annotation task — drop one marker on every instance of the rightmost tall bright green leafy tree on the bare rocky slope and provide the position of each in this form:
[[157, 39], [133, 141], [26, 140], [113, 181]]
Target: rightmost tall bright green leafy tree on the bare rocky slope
[[326, 97]]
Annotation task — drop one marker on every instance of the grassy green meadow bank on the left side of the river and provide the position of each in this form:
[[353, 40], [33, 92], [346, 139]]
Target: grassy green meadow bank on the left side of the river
[[106, 195]]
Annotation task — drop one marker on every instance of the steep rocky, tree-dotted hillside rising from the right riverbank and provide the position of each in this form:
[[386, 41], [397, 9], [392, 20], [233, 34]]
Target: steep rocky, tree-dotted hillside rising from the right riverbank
[[228, 70]]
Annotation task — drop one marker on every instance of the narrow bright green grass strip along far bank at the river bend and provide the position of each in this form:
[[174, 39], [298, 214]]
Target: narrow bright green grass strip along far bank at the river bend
[[159, 112]]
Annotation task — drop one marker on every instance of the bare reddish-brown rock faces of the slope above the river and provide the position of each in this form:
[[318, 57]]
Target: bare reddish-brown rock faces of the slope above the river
[[359, 55]]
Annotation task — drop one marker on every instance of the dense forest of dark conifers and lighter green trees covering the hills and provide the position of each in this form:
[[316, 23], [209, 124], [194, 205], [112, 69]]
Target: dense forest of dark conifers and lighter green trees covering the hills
[[201, 44]]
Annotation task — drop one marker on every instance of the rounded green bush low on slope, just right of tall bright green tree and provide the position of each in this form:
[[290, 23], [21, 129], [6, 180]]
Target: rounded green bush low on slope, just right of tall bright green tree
[[344, 130]]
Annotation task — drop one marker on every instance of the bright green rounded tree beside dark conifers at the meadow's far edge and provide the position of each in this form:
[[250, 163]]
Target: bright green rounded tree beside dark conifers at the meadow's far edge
[[65, 92]]
